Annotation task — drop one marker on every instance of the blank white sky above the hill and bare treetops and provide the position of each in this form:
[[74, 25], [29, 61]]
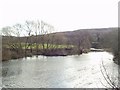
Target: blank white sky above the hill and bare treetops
[[64, 15]]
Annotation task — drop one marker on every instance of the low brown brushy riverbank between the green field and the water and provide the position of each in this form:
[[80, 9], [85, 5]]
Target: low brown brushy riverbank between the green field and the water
[[8, 54]]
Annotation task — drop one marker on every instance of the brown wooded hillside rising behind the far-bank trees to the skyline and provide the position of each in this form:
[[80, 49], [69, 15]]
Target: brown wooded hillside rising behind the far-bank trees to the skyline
[[68, 36]]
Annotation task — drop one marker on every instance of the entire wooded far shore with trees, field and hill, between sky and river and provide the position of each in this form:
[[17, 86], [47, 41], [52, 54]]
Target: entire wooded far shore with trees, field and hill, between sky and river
[[37, 38]]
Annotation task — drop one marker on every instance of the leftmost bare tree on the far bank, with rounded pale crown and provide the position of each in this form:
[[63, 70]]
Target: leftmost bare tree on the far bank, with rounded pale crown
[[14, 34]]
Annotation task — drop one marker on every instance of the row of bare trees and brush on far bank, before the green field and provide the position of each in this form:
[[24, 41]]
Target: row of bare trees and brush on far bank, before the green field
[[37, 37]]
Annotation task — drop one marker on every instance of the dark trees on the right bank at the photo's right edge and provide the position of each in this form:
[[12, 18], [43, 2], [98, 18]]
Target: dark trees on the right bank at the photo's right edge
[[111, 42]]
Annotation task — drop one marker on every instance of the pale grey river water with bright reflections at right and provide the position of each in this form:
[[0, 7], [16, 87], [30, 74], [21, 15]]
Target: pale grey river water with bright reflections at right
[[74, 71]]
